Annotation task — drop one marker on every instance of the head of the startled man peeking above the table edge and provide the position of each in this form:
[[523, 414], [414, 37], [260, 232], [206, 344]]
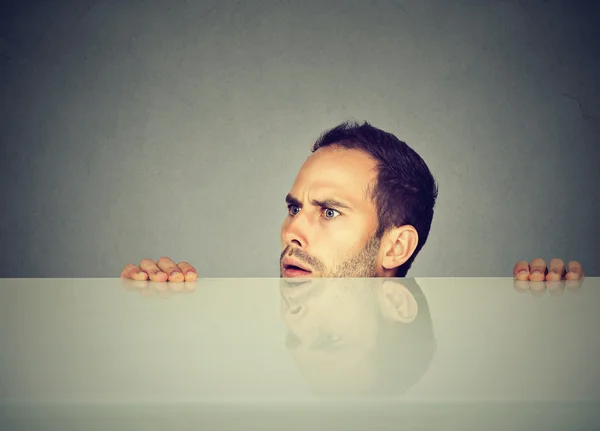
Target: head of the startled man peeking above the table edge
[[361, 206]]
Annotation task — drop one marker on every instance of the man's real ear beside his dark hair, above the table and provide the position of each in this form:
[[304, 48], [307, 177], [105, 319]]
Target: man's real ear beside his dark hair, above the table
[[397, 246]]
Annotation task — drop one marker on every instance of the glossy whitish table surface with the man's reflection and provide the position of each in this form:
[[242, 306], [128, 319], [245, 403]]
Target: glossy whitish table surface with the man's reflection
[[428, 353]]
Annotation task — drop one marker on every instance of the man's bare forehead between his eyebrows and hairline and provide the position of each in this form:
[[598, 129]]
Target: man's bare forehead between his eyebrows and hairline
[[337, 168]]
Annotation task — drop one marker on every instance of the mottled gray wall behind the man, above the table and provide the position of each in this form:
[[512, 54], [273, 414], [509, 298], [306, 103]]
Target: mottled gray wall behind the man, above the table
[[140, 129]]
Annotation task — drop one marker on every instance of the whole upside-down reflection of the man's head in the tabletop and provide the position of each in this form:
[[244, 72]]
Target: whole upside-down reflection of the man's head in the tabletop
[[349, 337]]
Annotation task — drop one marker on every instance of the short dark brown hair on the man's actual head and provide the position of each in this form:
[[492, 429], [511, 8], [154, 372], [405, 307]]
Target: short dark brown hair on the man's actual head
[[405, 191]]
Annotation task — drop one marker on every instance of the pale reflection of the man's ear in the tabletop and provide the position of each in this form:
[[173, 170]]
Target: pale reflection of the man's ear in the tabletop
[[397, 303]]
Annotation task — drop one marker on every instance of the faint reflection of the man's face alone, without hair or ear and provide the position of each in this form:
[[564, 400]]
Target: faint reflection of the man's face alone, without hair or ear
[[332, 332]]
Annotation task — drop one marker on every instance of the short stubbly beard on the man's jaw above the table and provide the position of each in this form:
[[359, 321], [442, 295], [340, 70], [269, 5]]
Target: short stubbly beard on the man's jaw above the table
[[362, 265]]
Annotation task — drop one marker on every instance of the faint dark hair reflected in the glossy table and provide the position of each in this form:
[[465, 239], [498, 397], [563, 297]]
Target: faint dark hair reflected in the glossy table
[[404, 351]]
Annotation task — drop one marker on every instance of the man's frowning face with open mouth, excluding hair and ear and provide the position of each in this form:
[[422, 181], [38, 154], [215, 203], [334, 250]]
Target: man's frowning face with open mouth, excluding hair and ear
[[331, 222]]
